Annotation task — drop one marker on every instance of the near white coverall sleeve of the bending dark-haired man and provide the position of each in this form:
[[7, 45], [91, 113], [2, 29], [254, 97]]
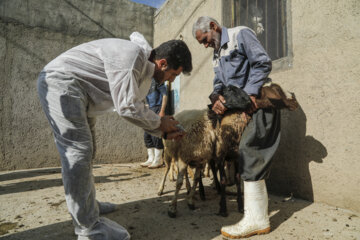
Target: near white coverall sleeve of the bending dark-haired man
[[125, 92]]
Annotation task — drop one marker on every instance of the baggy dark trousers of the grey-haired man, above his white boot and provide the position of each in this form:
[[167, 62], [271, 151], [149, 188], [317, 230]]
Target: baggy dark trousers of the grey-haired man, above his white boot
[[258, 144]]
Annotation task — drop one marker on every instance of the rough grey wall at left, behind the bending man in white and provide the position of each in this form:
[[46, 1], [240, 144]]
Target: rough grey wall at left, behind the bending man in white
[[32, 33]]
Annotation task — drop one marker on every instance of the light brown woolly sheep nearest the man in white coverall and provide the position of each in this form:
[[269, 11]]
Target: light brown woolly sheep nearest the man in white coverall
[[195, 149]]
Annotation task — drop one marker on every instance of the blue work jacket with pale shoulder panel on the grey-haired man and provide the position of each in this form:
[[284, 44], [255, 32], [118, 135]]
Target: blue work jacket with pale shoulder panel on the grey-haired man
[[241, 61]]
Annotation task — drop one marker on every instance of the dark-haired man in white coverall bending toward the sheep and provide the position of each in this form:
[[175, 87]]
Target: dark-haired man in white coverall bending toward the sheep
[[91, 79]]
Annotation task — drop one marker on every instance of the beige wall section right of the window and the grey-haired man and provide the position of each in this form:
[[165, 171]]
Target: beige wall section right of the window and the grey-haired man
[[318, 158]]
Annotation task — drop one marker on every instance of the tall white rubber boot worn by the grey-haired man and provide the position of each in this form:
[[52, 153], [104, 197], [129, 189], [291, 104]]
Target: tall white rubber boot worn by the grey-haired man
[[256, 218]]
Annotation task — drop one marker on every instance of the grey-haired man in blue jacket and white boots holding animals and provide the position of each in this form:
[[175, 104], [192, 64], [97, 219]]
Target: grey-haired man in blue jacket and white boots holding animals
[[240, 60]]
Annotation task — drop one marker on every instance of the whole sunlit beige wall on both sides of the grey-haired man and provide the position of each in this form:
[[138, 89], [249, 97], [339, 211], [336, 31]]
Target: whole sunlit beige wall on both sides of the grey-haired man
[[318, 157]]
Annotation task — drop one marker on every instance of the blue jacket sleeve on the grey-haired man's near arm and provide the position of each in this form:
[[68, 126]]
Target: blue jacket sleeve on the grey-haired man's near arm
[[260, 62]]
